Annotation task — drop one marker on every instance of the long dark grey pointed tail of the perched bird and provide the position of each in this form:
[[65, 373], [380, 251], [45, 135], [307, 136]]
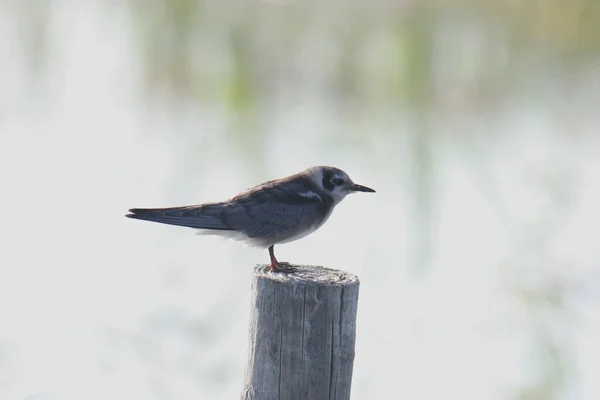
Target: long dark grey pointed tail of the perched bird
[[204, 216]]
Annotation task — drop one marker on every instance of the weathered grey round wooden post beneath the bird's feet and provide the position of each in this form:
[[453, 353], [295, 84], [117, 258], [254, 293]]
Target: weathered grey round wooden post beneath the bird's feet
[[302, 334]]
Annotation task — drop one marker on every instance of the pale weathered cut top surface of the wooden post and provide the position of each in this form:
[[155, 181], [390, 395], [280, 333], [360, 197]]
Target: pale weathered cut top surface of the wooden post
[[308, 275]]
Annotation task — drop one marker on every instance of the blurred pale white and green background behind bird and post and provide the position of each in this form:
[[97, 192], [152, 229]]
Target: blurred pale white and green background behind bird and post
[[475, 121]]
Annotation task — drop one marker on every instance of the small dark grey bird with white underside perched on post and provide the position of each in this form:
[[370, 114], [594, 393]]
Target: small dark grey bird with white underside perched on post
[[272, 213]]
